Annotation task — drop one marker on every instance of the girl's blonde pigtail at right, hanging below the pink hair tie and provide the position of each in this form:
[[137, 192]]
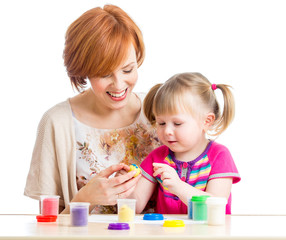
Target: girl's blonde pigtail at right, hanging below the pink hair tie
[[227, 116]]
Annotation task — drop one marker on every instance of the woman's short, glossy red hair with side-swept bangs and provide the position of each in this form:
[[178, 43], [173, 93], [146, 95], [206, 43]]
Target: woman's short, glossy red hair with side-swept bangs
[[98, 42]]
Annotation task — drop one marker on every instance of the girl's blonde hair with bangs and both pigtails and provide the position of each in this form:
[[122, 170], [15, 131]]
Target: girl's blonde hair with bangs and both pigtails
[[193, 93]]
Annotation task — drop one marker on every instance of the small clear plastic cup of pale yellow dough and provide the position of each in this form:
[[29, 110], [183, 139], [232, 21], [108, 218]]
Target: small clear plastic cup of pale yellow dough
[[126, 210]]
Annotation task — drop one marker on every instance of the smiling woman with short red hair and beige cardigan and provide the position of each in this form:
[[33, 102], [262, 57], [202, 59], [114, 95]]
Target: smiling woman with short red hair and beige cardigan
[[83, 141]]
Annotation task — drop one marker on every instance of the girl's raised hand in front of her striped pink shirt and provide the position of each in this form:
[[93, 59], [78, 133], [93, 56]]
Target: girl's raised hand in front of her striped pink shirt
[[168, 175]]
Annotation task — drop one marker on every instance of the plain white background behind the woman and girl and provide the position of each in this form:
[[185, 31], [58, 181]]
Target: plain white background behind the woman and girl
[[241, 43]]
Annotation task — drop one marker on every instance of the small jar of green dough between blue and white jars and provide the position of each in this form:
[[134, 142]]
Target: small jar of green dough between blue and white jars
[[199, 208]]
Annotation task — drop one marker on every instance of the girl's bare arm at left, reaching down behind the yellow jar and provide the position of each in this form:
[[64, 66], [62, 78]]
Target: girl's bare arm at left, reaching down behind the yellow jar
[[142, 193]]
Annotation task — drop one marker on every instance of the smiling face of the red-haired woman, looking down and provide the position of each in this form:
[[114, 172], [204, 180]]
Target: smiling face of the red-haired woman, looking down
[[114, 90]]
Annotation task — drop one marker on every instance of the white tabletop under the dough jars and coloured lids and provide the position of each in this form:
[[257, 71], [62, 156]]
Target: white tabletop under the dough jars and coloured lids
[[236, 227]]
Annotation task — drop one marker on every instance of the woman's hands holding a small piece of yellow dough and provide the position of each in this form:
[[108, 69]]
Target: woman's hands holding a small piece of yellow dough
[[103, 190]]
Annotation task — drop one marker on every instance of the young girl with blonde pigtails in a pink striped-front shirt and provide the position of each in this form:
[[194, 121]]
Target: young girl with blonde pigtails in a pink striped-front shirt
[[185, 110]]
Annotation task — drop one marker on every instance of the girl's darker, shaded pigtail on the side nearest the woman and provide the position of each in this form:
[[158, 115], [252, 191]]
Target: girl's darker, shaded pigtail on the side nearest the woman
[[148, 103]]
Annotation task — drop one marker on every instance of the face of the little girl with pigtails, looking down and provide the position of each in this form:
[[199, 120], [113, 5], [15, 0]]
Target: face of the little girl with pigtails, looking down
[[182, 133]]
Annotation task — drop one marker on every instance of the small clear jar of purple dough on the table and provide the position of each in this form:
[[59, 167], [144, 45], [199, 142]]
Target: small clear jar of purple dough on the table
[[79, 212]]
